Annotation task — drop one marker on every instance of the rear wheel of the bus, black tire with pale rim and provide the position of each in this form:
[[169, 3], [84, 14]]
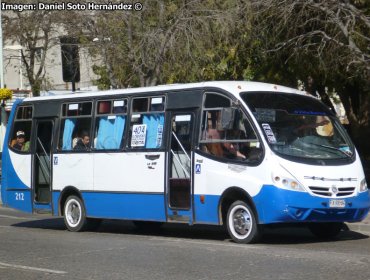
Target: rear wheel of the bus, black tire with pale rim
[[74, 214]]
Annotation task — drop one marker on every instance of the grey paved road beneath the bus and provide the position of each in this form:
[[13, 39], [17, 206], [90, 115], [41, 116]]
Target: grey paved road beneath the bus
[[34, 247]]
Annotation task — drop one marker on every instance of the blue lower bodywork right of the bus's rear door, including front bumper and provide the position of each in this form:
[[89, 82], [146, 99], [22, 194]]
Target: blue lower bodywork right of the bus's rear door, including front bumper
[[286, 206]]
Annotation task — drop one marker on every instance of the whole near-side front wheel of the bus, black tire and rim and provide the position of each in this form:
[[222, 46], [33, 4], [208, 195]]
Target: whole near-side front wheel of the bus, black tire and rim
[[241, 223]]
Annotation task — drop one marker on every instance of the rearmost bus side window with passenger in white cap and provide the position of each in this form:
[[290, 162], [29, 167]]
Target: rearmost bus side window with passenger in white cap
[[22, 129]]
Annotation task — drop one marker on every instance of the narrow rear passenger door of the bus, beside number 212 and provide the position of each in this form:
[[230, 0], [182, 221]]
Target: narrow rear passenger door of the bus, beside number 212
[[42, 166]]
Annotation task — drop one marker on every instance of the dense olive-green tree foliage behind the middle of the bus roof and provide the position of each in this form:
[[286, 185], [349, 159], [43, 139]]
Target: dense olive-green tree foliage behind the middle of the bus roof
[[166, 42]]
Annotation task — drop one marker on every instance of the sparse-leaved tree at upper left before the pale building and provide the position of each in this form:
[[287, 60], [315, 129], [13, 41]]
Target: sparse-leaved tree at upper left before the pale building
[[37, 31]]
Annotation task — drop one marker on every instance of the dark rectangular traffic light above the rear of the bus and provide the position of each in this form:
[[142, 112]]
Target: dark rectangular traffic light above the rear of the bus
[[70, 59]]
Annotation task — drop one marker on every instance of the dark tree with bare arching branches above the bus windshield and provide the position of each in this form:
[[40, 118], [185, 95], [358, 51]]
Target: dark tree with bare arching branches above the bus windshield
[[327, 40]]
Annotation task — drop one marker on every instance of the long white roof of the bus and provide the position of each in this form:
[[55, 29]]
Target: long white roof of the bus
[[234, 87]]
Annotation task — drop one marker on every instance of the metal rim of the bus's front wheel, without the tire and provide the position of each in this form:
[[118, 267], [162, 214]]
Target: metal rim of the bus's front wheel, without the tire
[[240, 222]]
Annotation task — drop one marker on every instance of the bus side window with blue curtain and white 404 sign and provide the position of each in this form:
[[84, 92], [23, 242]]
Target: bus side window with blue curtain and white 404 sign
[[147, 123]]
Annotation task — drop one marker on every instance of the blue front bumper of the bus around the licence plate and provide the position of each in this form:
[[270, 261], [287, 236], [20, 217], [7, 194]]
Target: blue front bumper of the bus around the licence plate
[[276, 205]]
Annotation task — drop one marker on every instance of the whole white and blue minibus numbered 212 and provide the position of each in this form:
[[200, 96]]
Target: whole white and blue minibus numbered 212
[[239, 154]]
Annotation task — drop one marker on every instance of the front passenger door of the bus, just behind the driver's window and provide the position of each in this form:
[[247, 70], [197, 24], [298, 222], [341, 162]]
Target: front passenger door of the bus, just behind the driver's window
[[179, 188]]
